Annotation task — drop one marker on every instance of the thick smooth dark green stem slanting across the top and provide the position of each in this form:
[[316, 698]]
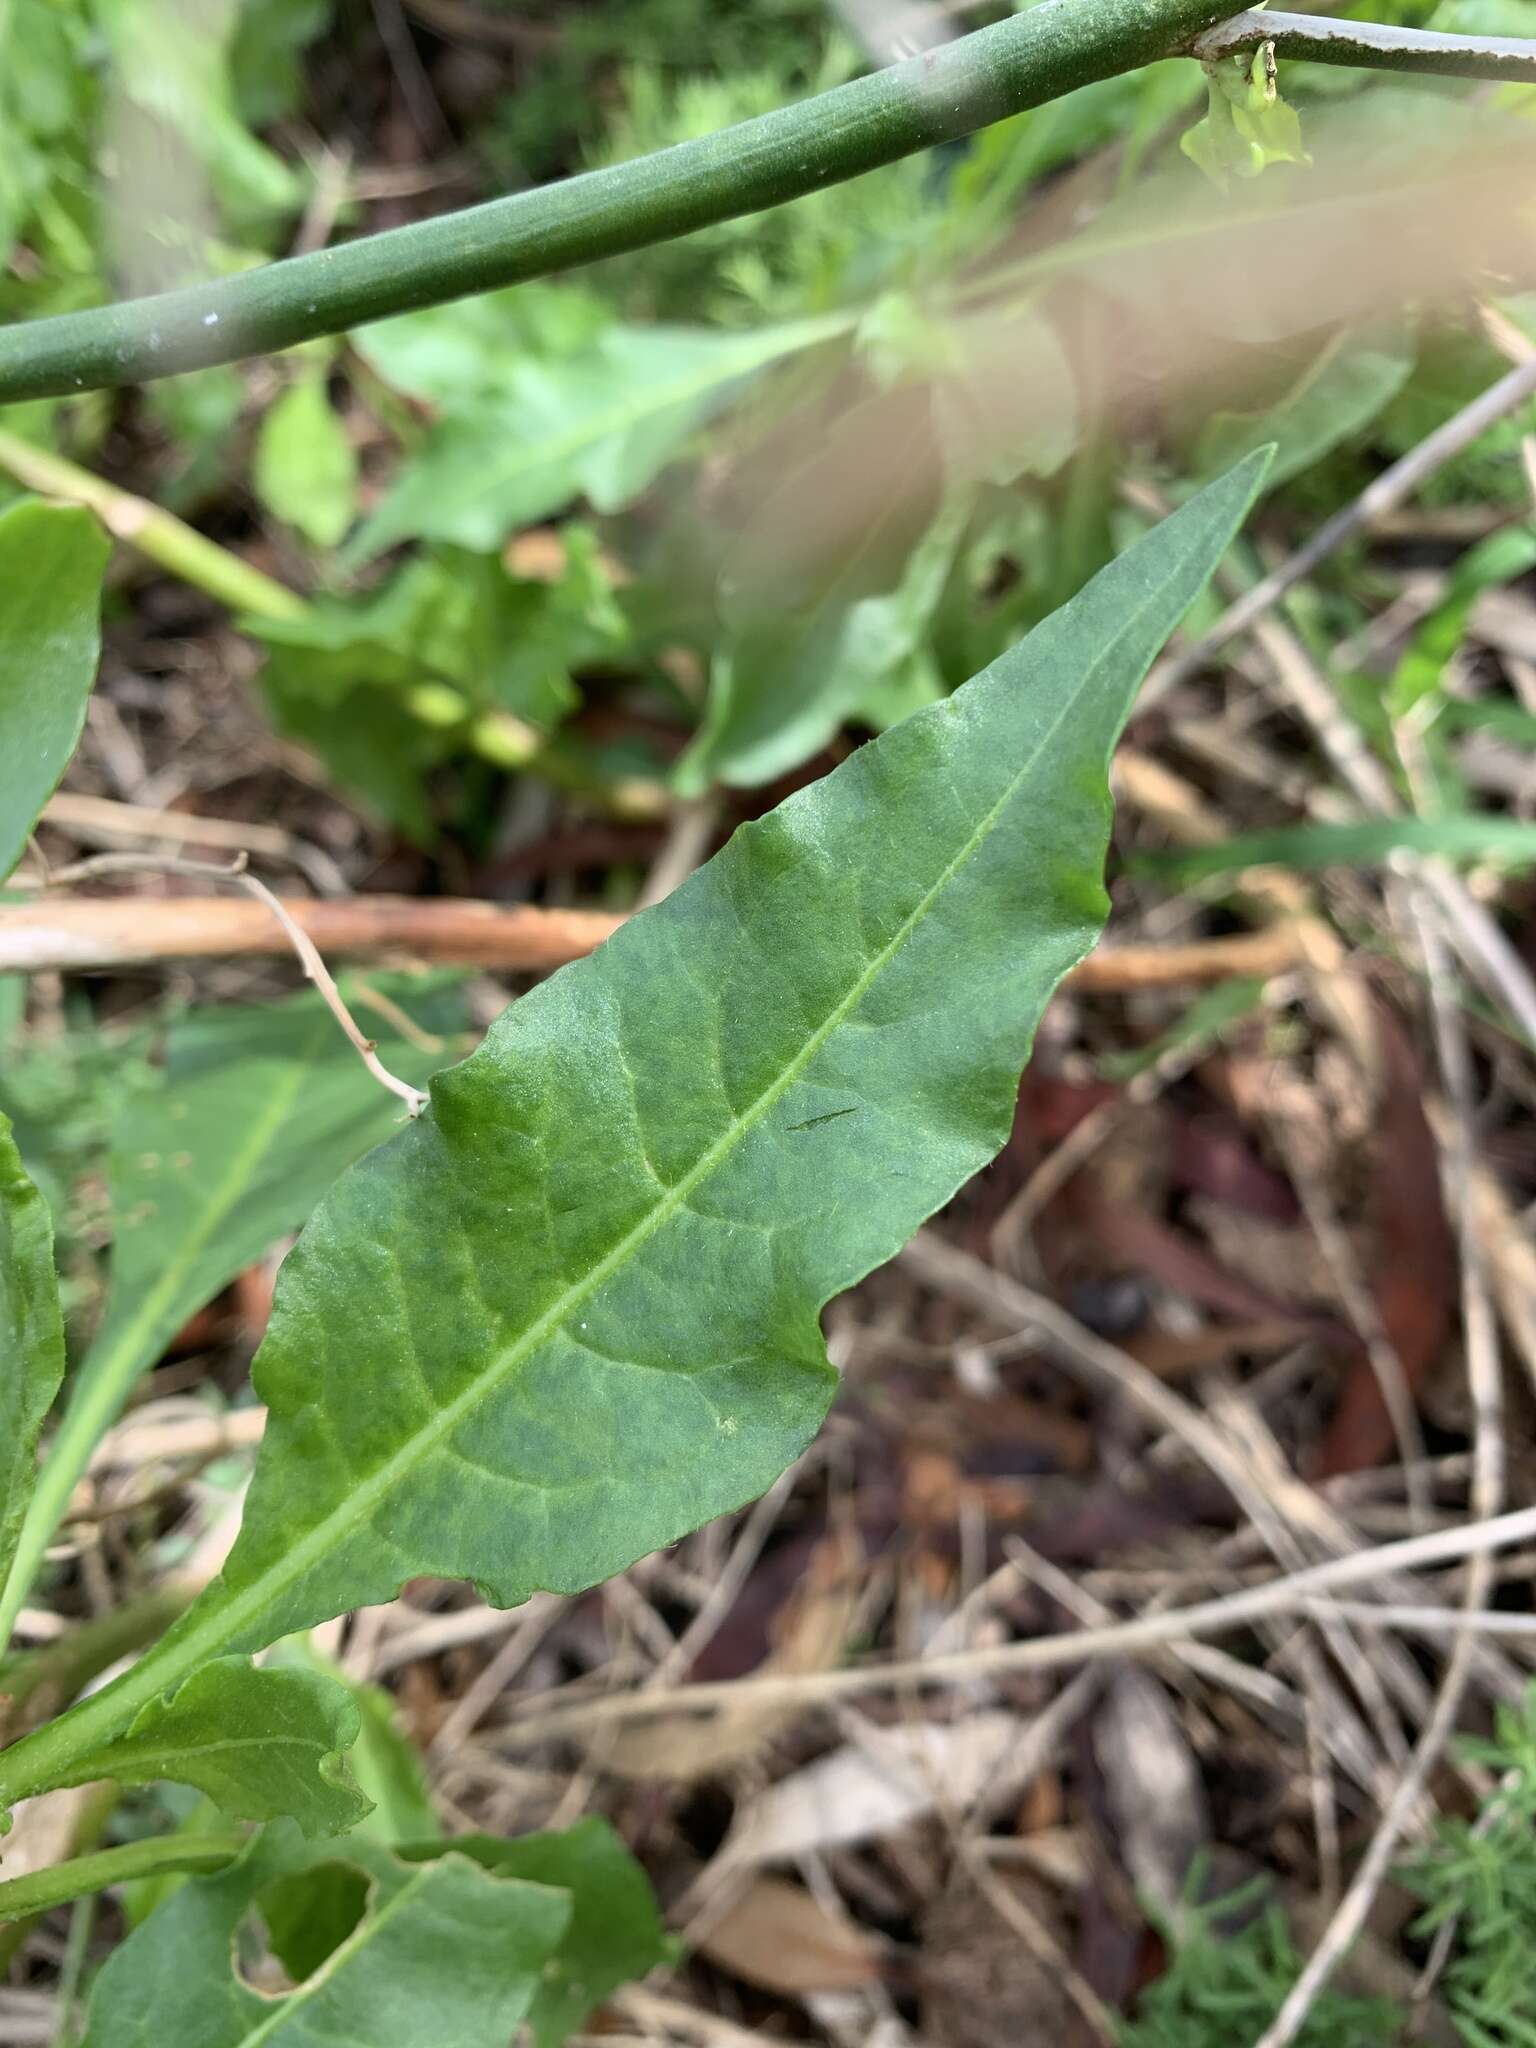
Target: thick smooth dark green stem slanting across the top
[[947, 93]]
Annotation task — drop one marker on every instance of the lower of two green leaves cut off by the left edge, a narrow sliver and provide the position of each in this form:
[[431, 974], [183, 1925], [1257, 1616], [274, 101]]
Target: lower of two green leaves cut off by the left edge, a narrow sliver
[[32, 1338]]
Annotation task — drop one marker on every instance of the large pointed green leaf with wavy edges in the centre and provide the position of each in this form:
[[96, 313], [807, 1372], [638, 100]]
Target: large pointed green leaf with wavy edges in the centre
[[572, 1312]]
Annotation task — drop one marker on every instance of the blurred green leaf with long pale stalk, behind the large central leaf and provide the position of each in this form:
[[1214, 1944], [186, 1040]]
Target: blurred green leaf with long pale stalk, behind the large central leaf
[[261, 1109]]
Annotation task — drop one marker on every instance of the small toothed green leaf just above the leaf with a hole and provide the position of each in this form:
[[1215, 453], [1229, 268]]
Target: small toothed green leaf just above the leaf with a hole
[[259, 1742]]
